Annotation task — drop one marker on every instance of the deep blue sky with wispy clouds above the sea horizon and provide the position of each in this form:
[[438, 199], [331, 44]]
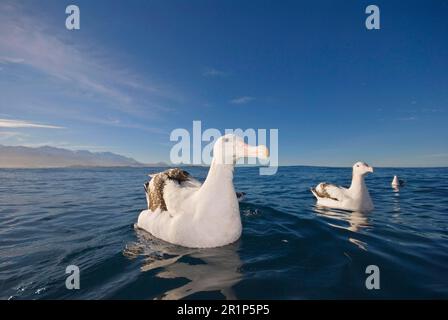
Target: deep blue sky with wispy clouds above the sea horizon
[[136, 70]]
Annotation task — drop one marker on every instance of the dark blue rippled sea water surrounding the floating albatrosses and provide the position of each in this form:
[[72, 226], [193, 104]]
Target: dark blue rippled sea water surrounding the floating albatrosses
[[289, 249]]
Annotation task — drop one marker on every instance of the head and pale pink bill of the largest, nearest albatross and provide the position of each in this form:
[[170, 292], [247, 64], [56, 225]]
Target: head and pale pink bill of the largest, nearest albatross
[[229, 148]]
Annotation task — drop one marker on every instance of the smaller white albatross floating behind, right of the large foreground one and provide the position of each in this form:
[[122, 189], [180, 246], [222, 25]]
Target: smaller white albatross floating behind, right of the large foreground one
[[355, 198]]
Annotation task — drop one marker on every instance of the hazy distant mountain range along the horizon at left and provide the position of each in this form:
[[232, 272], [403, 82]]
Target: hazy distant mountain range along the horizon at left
[[51, 157]]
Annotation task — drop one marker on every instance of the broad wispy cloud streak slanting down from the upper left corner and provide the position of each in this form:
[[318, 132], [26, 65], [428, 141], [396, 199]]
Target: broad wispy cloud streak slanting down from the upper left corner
[[29, 41]]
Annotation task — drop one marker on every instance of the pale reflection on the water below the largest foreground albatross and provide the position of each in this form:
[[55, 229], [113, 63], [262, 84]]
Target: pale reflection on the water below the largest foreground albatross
[[215, 269]]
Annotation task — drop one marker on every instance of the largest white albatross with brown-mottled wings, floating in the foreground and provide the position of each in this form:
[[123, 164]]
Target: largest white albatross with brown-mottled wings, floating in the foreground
[[185, 212]]
